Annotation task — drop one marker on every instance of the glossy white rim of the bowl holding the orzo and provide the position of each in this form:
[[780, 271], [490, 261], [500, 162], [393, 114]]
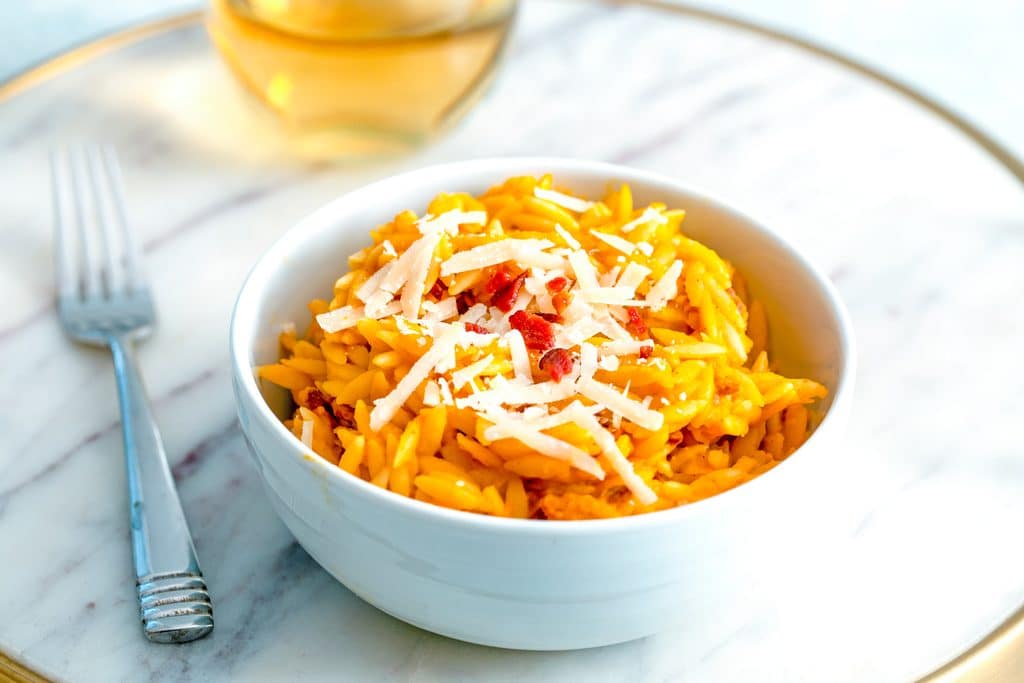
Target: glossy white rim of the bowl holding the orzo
[[248, 390]]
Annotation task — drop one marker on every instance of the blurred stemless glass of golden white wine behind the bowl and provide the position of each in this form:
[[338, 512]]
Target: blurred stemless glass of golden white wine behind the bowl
[[354, 78]]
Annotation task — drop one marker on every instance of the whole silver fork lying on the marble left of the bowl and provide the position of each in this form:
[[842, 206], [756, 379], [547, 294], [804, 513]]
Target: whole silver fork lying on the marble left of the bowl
[[104, 301]]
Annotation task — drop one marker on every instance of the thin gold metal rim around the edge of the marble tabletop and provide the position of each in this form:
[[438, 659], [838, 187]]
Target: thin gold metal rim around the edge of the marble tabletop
[[984, 661]]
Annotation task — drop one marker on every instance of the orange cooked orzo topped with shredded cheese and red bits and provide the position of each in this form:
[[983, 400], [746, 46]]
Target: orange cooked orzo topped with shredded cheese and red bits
[[531, 354]]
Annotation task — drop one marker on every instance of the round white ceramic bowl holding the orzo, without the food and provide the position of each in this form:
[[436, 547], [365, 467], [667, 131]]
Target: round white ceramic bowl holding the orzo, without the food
[[528, 584]]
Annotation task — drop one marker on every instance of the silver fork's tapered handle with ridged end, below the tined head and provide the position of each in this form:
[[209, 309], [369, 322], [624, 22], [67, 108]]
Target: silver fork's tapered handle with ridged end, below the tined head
[[175, 604]]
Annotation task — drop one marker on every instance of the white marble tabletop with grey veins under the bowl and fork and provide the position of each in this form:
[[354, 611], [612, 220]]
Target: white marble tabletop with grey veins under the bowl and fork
[[920, 231]]
